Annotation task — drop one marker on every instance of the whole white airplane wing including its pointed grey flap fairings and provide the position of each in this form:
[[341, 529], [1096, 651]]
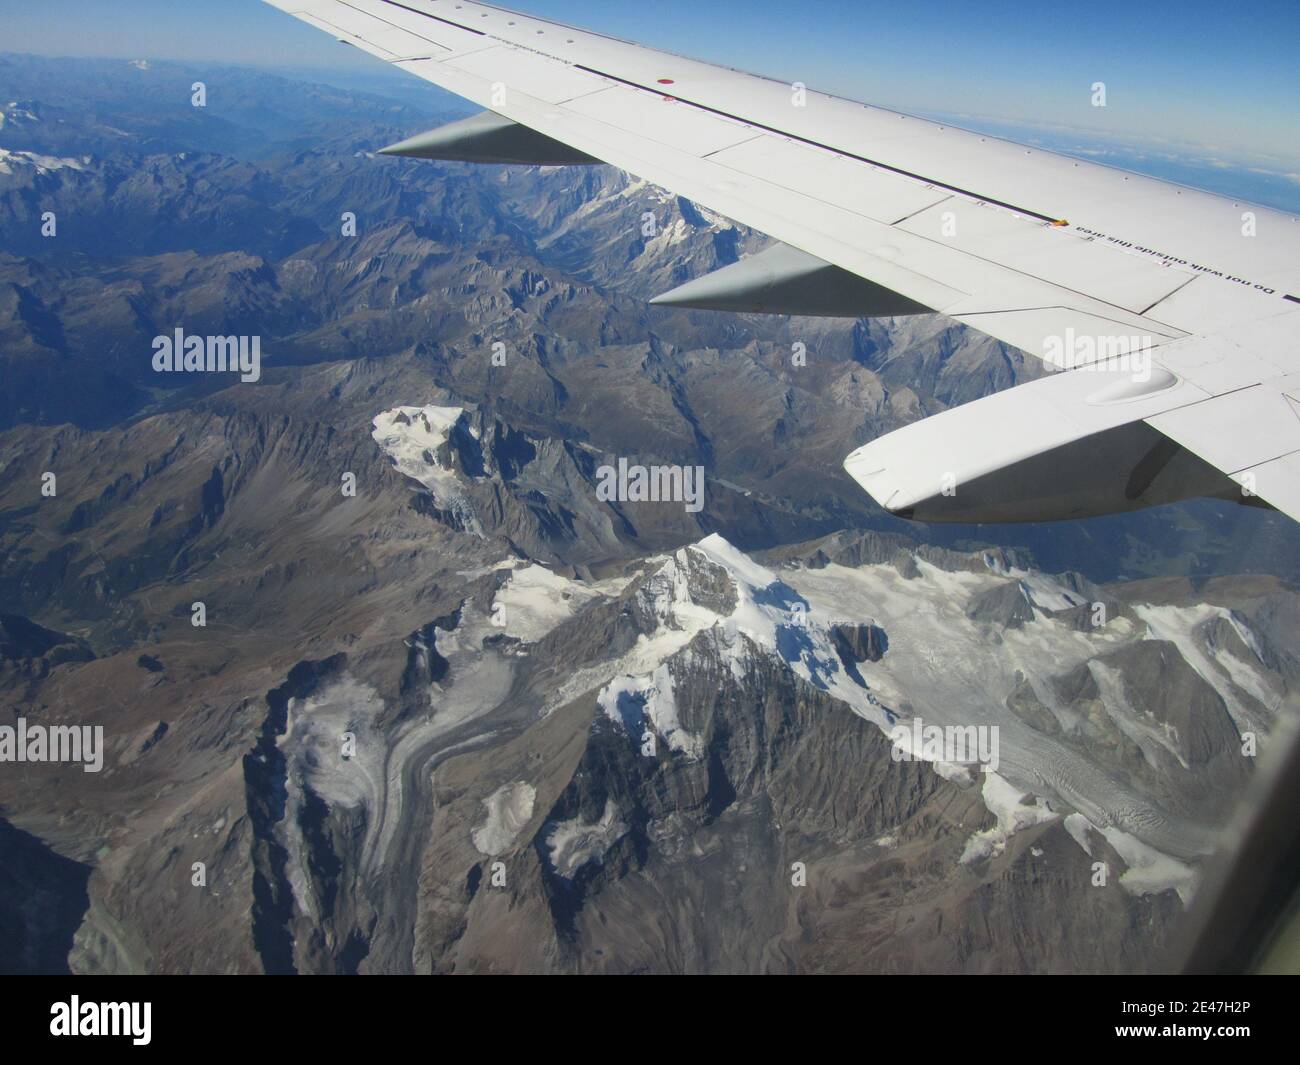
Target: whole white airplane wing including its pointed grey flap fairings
[[1172, 313]]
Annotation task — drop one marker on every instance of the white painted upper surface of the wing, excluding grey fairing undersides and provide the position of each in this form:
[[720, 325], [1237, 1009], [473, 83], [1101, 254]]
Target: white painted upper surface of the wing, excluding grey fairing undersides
[[1021, 244]]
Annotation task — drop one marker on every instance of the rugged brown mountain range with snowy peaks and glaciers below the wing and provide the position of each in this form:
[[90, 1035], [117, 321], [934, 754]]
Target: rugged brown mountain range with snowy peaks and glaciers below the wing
[[445, 709]]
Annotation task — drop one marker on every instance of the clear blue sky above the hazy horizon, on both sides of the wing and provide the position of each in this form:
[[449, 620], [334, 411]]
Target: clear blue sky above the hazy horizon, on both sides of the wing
[[1216, 83]]
